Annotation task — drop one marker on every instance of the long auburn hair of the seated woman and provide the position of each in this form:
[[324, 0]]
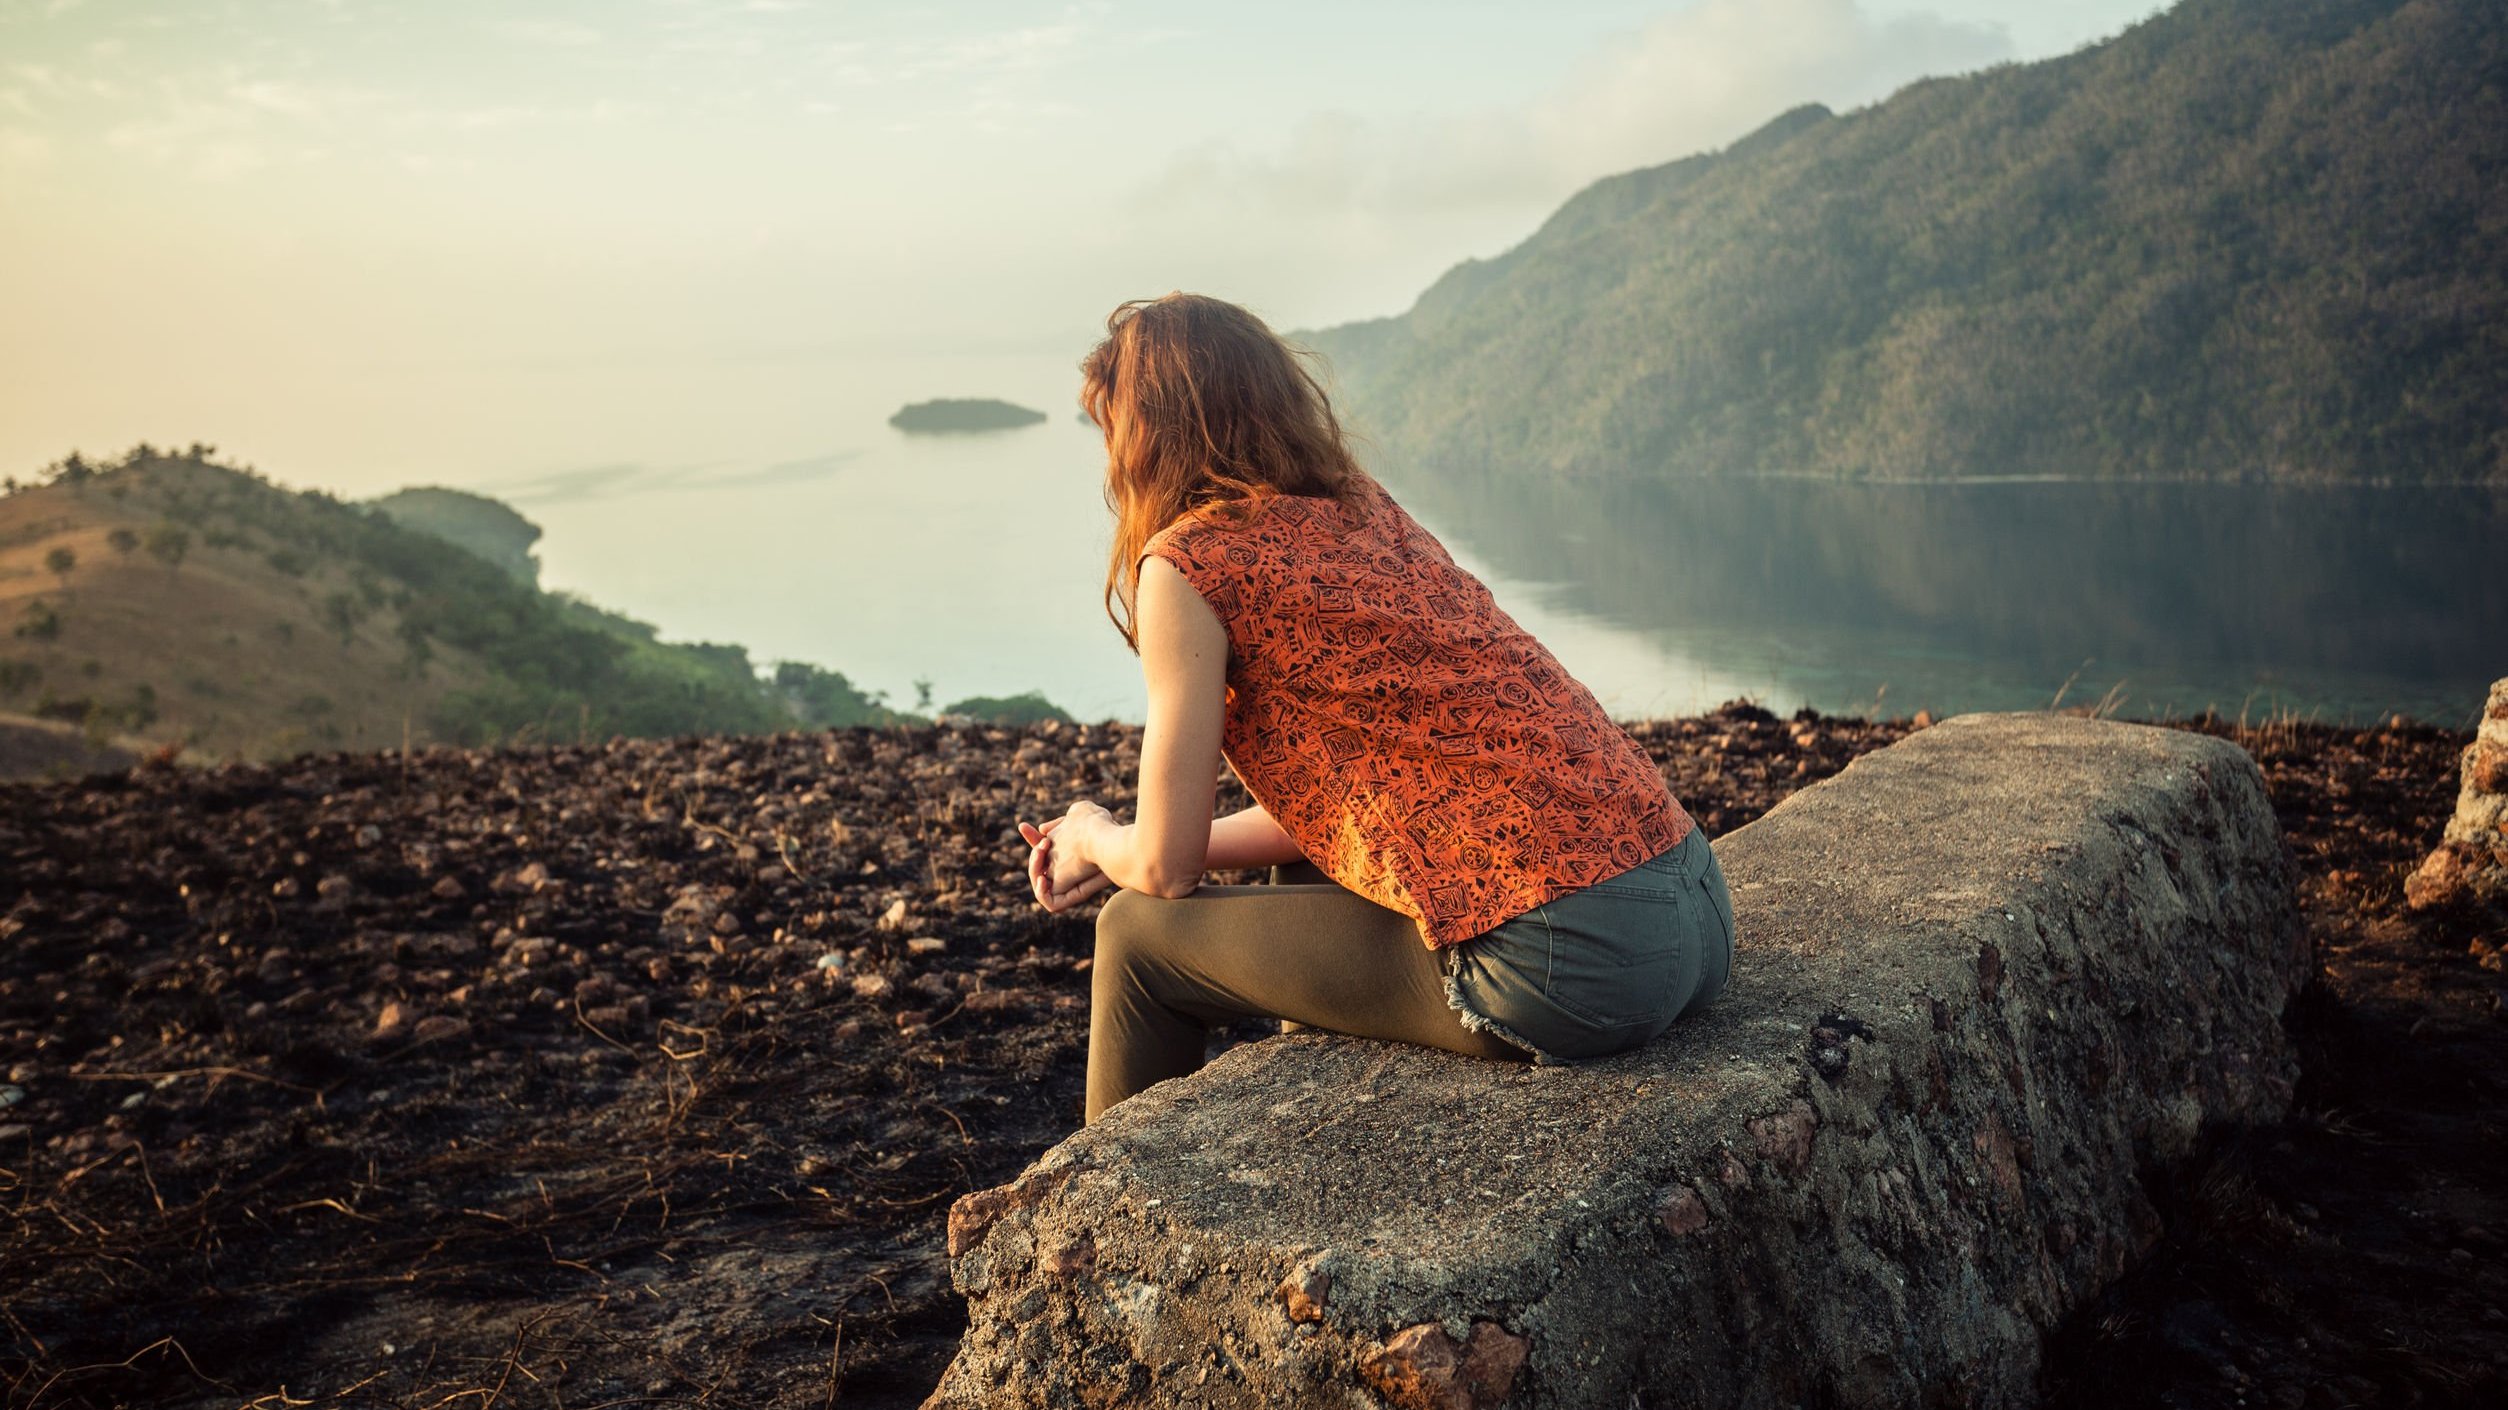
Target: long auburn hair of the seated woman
[[1203, 405]]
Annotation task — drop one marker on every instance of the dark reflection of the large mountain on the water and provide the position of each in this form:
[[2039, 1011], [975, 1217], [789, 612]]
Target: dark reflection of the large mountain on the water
[[2381, 591]]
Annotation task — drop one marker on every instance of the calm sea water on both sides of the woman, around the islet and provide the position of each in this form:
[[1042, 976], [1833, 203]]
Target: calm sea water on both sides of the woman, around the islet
[[977, 566]]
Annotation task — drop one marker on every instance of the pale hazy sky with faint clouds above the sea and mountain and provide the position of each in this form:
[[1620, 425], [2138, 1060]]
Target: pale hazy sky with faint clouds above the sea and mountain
[[468, 240]]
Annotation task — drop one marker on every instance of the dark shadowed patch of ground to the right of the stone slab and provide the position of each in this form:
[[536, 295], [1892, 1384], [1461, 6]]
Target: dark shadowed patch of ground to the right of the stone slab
[[2351, 1256]]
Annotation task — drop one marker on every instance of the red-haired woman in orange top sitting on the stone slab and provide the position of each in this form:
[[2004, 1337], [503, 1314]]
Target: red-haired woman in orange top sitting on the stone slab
[[1499, 869]]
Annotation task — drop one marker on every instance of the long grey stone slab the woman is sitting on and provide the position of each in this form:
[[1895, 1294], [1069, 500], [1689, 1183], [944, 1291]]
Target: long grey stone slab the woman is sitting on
[[1988, 980]]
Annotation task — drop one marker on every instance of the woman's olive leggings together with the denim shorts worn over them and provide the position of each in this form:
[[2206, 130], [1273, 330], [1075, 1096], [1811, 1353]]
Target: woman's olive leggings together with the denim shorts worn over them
[[1594, 972]]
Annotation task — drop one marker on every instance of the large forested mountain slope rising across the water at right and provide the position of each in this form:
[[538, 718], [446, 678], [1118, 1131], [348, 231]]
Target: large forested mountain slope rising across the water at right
[[2243, 240]]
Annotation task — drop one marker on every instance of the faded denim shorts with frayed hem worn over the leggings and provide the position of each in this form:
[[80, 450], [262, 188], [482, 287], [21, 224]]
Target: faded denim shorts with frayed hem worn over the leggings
[[1606, 967]]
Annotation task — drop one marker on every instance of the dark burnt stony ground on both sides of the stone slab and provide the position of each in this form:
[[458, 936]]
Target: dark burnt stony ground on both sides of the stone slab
[[646, 1075]]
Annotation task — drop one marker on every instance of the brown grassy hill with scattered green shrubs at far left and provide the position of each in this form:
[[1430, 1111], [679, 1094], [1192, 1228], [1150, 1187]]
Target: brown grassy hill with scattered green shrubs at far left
[[174, 601]]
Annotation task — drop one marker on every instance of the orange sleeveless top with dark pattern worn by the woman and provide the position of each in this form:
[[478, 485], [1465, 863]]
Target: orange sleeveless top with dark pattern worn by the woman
[[1408, 736]]
